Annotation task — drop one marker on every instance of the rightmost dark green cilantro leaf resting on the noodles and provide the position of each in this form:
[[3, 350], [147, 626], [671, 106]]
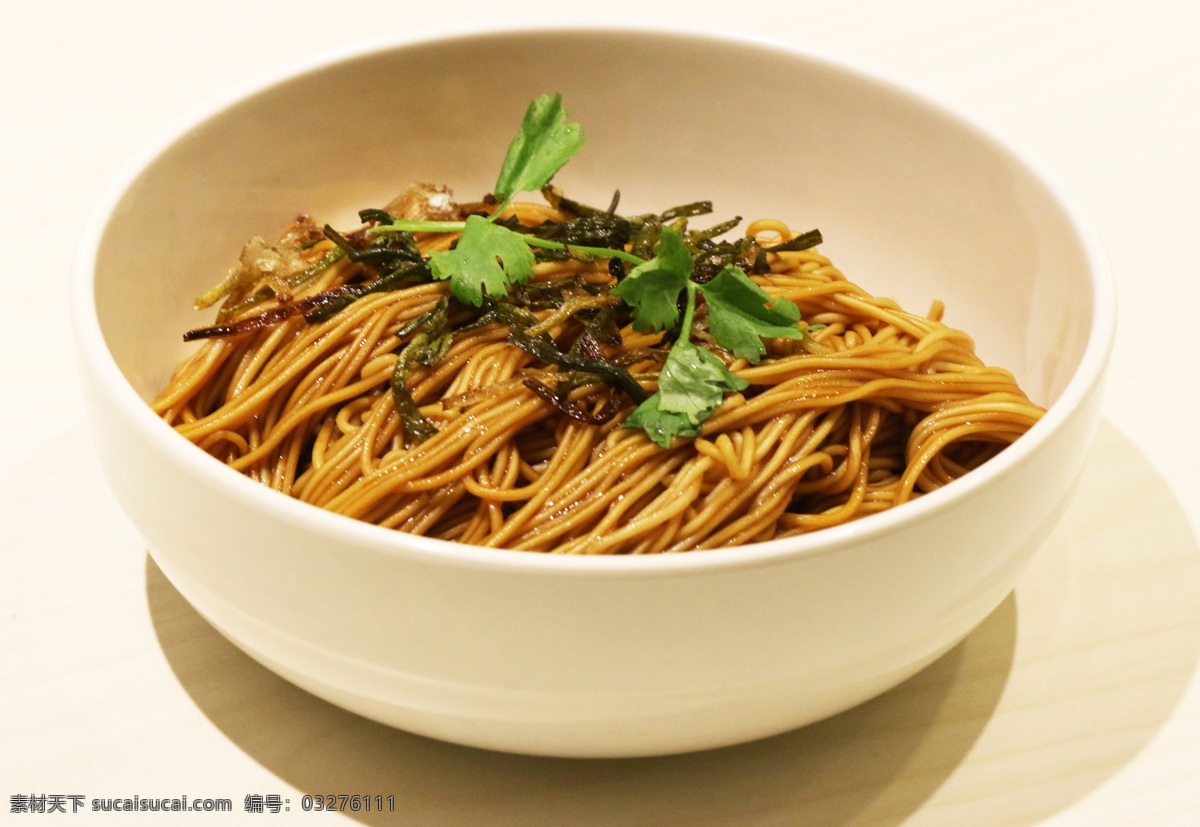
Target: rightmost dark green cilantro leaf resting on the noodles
[[740, 316]]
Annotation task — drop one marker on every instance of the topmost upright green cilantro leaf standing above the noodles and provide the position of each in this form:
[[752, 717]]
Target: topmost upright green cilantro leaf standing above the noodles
[[544, 145]]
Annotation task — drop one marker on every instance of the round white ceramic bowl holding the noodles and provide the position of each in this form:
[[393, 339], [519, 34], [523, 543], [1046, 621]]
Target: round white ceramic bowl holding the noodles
[[614, 656]]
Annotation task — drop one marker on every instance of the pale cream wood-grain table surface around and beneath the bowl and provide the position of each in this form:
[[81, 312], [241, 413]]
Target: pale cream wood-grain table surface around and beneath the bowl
[[1077, 703]]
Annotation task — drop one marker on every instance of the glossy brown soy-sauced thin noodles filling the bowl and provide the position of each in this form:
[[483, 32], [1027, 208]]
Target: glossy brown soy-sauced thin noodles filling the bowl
[[868, 412]]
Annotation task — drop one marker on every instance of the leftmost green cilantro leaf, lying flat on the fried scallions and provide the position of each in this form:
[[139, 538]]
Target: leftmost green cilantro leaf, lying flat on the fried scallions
[[487, 260]]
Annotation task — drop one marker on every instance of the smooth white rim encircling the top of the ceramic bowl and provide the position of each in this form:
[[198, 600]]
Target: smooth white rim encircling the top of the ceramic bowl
[[97, 358]]
